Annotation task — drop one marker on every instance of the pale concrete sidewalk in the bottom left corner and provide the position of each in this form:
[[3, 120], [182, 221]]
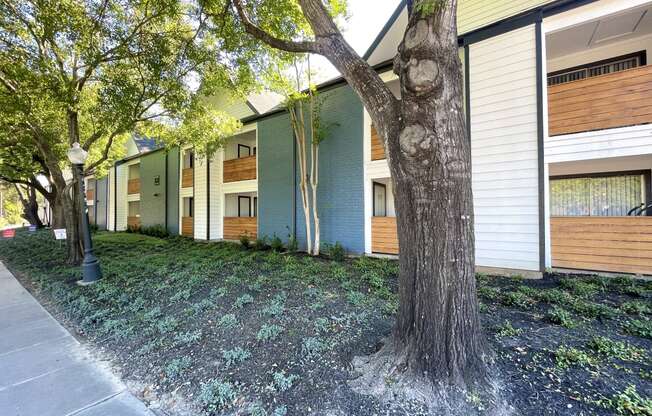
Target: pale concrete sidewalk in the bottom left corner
[[44, 371]]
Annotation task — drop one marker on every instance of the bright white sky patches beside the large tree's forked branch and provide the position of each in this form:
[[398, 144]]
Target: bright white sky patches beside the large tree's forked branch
[[362, 27]]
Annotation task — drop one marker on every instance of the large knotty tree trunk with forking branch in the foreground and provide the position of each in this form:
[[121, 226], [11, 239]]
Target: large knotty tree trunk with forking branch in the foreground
[[437, 338]]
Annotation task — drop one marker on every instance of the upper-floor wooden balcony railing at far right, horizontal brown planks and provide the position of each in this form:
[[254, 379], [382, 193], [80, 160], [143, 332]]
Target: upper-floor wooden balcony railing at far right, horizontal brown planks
[[618, 99]]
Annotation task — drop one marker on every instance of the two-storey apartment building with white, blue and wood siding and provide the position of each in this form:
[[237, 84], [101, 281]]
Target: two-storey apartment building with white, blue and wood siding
[[557, 99]]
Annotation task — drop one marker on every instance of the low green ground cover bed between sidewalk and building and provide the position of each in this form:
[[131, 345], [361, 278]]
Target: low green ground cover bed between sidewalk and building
[[228, 330]]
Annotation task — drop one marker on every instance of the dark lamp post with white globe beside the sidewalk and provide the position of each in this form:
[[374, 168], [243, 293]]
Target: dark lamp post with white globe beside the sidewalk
[[91, 271]]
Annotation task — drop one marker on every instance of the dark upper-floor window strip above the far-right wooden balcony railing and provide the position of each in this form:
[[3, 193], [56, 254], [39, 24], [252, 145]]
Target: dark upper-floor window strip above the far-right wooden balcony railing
[[595, 69]]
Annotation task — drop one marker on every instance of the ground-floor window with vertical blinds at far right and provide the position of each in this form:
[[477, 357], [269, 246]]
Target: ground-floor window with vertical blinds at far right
[[598, 195]]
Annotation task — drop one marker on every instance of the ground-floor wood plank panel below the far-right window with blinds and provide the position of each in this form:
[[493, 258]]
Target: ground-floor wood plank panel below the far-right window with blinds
[[612, 244]]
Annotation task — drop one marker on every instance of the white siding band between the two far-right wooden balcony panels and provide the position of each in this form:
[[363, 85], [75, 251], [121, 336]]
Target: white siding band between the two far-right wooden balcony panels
[[600, 144]]
